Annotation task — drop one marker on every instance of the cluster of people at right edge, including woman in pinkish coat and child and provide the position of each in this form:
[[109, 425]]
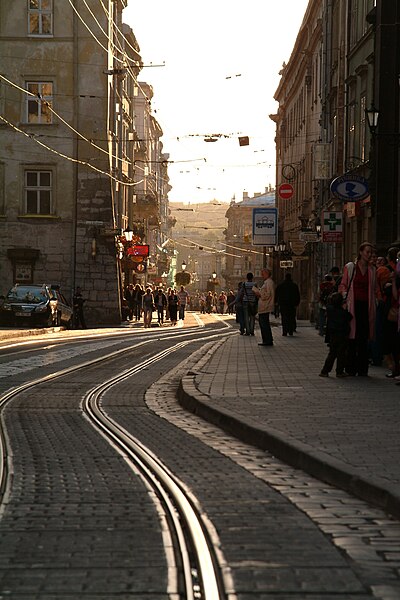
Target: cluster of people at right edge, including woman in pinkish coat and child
[[359, 314]]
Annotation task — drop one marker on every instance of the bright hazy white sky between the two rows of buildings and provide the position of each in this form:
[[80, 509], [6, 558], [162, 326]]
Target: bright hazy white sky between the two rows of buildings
[[222, 62]]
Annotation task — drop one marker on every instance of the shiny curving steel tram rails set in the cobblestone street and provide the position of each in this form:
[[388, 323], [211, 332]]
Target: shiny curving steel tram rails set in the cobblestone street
[[198, 574]]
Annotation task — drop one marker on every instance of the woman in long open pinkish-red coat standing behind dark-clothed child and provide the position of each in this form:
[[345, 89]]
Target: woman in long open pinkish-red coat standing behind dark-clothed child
[[360, 289]]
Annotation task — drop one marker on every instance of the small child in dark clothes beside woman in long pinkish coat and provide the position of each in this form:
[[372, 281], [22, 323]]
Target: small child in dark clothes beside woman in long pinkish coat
[[337, 334]]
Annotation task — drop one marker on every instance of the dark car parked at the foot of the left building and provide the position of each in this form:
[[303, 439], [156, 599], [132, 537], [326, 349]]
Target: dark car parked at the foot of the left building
[[40, 305]]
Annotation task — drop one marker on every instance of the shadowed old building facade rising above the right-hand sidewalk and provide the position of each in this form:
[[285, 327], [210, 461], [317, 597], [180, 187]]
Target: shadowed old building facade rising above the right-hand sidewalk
[[337, 66]]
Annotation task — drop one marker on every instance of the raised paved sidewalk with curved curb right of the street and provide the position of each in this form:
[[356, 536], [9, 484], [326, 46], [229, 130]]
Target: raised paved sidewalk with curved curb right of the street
[[342, 431]]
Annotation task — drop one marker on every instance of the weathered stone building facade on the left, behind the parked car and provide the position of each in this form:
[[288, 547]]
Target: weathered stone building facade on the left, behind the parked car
[[68, 177]]
